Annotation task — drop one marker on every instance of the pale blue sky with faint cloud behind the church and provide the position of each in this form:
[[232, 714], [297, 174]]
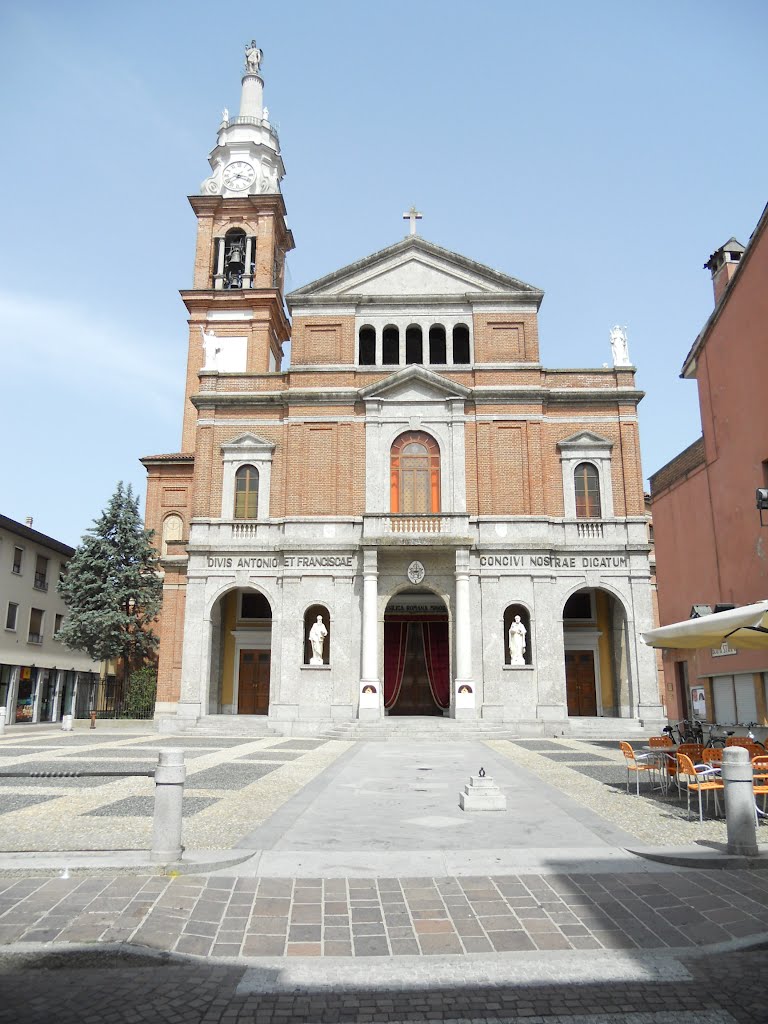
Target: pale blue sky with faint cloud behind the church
[[601, 151]]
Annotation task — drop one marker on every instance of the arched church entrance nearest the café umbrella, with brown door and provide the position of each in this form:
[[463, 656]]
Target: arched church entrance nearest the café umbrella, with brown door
[[596, 663]]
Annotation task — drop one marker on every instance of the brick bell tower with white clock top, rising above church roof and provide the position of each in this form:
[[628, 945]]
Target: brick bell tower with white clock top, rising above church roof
[[238, 323]]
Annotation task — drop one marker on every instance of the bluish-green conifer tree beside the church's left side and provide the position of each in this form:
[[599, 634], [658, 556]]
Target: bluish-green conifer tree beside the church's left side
[[112, 587]]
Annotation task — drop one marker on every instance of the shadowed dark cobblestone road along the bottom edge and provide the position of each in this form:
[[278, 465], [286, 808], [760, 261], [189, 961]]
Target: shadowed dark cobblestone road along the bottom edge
[[82, 989]]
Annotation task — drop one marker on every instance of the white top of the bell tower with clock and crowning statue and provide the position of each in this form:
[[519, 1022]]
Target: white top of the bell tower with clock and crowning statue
[[246, 160]]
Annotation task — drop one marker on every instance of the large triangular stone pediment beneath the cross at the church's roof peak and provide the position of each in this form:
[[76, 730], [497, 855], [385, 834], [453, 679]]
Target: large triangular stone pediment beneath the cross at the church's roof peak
[[414, 268]]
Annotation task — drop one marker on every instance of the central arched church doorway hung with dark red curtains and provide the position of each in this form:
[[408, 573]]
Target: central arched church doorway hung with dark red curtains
[[417, 655]]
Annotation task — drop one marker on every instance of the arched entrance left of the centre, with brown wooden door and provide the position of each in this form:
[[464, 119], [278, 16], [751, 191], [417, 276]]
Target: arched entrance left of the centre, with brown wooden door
[[241, 654]]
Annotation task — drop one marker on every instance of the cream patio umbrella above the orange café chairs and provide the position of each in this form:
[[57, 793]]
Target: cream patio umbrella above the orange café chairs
[[745, 628]]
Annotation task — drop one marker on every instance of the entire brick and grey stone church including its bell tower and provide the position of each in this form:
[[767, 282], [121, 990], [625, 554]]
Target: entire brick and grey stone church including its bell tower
[[414, 518]]
